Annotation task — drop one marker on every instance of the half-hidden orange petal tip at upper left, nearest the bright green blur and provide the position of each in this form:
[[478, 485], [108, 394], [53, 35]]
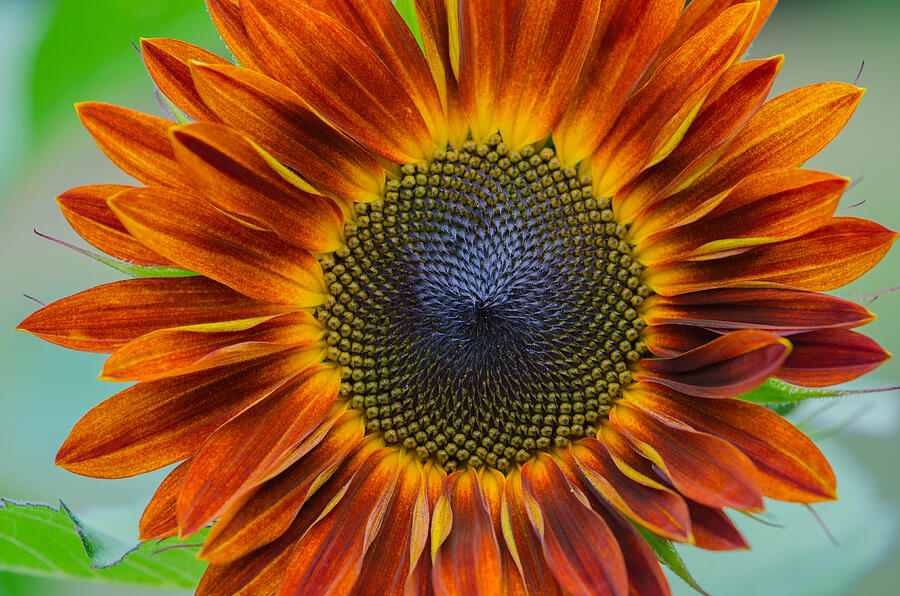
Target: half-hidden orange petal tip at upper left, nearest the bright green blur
[[168, 61]]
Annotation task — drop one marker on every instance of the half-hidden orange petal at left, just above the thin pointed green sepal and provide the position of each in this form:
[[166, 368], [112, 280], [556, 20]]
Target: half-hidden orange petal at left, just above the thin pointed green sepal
[[86, 211]]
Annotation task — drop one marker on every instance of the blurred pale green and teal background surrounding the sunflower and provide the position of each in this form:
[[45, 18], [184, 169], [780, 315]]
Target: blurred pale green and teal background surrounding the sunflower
[[57, 52]]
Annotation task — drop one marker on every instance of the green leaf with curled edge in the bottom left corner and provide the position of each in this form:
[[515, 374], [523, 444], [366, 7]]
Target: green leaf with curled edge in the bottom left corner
[[37, 539]]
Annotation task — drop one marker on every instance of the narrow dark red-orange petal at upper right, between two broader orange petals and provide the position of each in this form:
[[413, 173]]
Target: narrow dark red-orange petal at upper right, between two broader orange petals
[[736, 96]]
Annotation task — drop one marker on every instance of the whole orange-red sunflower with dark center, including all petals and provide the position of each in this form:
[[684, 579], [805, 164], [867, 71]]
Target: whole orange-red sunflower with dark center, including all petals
[[466, 315]]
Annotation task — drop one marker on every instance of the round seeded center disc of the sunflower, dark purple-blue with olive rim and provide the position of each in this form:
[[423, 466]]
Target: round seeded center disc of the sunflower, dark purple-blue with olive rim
[[486, 308]]
